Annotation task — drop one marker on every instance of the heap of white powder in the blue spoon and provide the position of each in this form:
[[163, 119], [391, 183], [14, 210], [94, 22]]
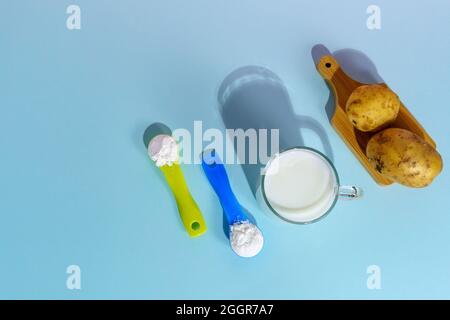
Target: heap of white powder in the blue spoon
[[246, 239]]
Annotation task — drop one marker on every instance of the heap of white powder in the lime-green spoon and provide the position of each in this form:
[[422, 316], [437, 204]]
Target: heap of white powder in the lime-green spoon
[[163, 150]]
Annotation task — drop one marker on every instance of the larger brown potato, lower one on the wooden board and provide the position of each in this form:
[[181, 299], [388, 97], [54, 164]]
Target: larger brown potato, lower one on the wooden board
[[404, 157]]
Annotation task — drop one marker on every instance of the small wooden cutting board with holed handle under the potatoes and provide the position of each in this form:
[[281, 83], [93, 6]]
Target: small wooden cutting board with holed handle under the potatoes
[[342, 86]]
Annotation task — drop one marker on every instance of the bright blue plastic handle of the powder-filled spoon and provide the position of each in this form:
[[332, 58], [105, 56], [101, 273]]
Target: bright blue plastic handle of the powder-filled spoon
[[217, 176]]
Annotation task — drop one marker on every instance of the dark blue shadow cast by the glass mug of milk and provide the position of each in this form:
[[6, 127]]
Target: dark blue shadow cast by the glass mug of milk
[[254, 97]]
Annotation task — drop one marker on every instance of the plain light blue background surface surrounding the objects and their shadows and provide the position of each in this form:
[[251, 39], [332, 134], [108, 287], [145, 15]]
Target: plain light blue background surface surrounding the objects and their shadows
[[76, 185]]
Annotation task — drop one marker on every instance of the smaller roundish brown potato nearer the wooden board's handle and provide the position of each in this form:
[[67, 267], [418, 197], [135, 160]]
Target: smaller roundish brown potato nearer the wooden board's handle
[[371, 107]]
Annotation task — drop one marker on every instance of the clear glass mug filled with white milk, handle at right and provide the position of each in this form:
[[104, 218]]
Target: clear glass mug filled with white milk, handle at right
[[301, 185]]
